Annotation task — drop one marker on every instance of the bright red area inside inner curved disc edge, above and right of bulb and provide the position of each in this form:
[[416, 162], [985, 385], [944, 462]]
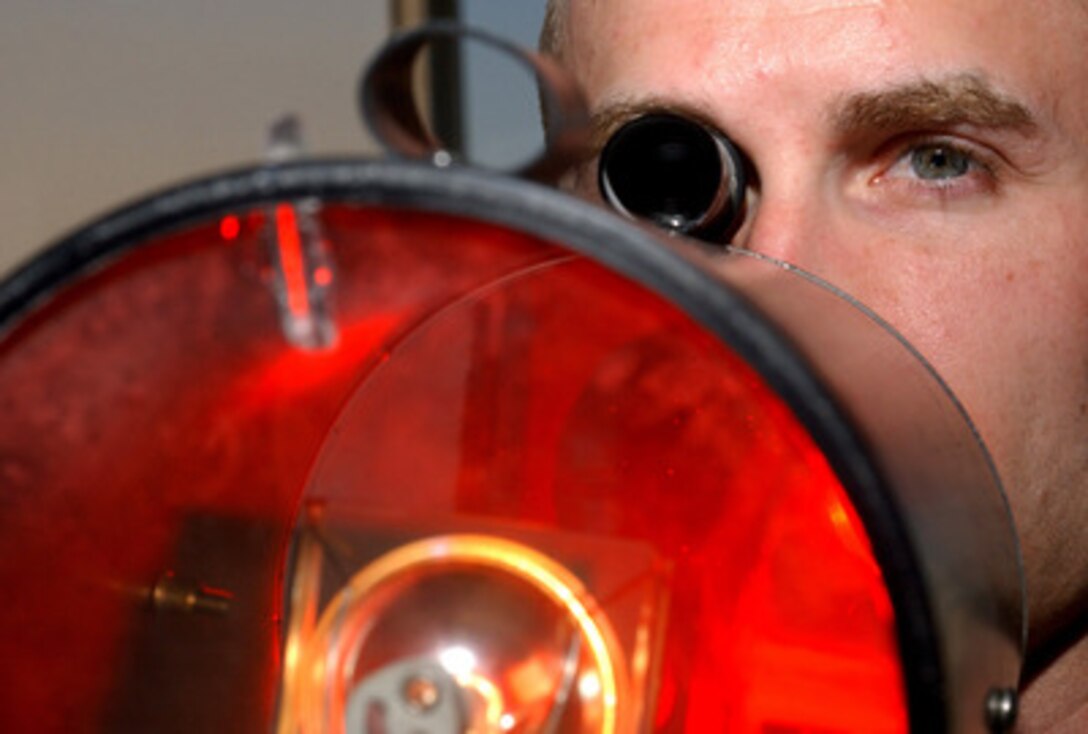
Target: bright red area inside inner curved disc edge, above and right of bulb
[[615, 418]]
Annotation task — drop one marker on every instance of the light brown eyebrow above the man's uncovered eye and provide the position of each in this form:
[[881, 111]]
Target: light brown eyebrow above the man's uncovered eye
[[966, 99]]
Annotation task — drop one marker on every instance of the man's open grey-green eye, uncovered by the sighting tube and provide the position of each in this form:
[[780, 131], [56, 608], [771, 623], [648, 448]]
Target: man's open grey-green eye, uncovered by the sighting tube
[[941, 168]]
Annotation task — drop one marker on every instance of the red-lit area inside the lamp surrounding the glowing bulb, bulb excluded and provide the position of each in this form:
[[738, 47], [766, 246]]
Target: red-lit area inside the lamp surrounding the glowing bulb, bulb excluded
[[598, 415]]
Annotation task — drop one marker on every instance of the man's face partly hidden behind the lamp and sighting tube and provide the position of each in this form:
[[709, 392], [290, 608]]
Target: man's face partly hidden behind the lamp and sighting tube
[[982, 263]]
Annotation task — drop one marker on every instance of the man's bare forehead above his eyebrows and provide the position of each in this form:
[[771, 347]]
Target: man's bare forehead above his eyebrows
[[706, 48]]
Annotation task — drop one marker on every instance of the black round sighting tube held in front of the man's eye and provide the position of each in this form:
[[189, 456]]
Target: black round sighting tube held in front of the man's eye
[[675, 173]]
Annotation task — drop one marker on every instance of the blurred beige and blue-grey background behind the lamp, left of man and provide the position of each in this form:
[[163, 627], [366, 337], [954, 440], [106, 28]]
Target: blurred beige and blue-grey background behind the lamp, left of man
[[105, 102]]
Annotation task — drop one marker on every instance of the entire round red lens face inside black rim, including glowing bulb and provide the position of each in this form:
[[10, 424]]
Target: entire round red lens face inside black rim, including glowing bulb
[[641, 502]]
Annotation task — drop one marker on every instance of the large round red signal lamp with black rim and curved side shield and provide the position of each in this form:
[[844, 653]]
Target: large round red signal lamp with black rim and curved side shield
[[360, 447]]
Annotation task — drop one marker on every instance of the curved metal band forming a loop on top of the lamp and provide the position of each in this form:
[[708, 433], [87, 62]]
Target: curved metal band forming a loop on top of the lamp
[[389, 109]]
